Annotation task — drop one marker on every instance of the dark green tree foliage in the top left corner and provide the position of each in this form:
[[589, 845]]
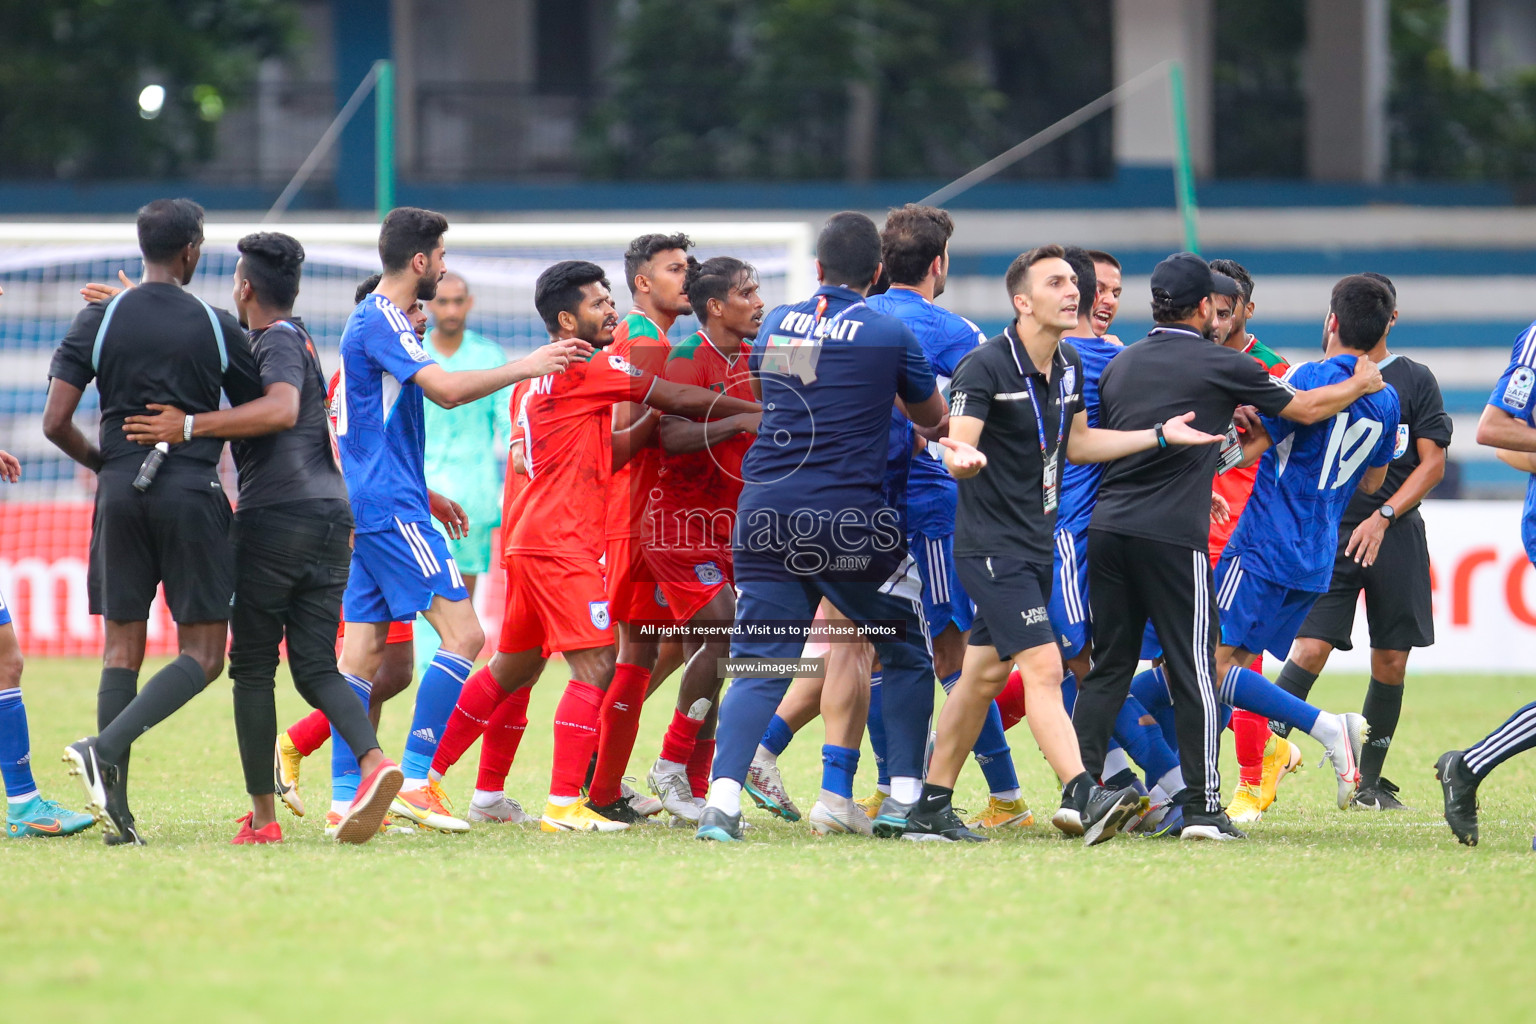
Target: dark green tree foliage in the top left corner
[[71, 73]]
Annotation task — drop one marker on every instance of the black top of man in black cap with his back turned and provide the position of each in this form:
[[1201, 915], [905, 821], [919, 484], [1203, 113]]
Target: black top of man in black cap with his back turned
[[1165, 494]]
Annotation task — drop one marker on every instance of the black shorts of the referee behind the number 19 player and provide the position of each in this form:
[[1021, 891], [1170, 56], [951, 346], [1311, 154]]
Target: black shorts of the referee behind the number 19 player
[[1399, 600]]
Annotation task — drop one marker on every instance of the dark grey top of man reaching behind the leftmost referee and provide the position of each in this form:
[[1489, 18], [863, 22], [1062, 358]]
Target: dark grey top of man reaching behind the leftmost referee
[[297, 464]]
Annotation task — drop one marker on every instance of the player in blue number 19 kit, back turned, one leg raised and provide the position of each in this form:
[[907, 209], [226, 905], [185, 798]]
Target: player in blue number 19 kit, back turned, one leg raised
[[1280, 561]]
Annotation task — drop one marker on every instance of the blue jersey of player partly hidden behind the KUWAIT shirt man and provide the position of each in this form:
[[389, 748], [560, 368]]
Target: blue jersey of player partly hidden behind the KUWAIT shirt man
[[930, 492]]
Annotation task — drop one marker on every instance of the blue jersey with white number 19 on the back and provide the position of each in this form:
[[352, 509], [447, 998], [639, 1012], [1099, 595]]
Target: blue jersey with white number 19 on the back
[[1289, 530]]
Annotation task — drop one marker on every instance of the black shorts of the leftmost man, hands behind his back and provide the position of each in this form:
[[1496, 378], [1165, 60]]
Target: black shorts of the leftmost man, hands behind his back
[[177, 533]]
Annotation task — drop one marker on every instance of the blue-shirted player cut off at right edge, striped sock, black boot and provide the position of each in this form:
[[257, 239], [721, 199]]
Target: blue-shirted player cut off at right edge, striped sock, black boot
[[1509, 424]]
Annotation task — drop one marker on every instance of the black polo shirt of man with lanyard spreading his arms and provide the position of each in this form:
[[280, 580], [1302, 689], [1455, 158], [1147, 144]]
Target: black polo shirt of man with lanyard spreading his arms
[[1002, 509]]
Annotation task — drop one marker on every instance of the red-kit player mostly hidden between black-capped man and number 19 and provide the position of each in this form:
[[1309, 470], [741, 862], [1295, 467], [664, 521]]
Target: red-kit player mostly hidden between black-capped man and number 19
[[1262, 756]]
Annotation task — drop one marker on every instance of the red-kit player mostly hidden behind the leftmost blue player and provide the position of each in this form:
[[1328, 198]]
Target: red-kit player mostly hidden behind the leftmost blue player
[[311, 733]]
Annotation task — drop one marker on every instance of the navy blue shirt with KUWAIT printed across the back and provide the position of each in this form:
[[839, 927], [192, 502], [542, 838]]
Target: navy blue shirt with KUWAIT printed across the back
[[830, 371]]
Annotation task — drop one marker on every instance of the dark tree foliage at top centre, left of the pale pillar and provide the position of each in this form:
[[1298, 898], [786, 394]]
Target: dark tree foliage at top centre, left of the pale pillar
[[763, 88]]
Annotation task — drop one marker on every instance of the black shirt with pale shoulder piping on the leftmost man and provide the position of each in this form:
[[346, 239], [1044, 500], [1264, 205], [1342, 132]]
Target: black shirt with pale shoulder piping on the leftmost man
[[159, 346]]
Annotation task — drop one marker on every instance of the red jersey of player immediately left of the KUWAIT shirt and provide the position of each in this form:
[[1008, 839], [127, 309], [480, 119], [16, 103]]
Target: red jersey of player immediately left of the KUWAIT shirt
[[695, 497]]
